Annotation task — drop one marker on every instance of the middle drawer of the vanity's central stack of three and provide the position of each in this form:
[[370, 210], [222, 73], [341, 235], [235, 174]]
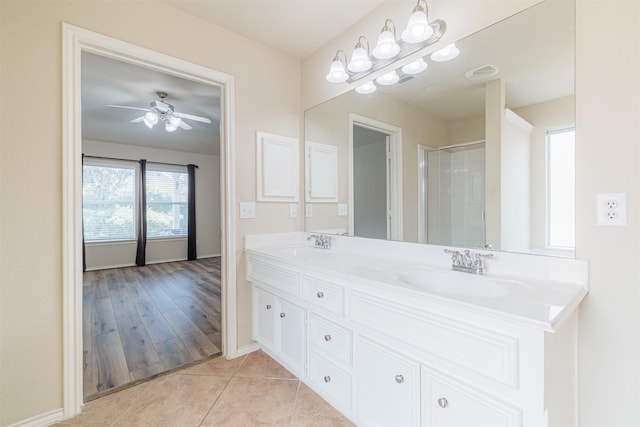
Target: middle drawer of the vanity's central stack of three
[[331, 339]]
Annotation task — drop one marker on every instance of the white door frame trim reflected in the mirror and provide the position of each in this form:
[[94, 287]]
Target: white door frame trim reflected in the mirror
[[394, 173]]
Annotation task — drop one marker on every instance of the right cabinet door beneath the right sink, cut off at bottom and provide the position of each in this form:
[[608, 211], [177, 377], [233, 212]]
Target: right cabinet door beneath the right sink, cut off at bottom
[[449, 403]]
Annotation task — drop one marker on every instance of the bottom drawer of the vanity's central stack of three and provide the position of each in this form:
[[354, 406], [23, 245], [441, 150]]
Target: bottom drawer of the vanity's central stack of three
[[332, 380]]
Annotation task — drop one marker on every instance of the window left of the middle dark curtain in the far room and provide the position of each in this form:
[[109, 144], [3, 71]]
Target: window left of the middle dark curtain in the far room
[[108, 202]]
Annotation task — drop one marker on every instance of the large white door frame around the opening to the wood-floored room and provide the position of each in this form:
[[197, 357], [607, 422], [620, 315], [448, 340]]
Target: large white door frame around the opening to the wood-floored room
[[75, 40]]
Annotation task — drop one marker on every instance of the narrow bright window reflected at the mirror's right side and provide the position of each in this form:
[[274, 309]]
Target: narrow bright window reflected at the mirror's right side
[[561, 188]]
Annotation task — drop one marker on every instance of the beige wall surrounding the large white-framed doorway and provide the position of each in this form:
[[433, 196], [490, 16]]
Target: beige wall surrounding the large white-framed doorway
[[267, 98]]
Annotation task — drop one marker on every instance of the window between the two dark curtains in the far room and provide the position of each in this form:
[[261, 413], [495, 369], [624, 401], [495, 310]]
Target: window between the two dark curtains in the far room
[[167, 197]]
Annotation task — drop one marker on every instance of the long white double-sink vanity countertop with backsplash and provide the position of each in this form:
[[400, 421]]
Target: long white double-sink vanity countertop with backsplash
[[534, 290]]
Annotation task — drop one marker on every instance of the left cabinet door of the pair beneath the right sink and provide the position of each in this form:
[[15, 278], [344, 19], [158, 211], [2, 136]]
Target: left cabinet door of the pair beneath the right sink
[[388, 387]]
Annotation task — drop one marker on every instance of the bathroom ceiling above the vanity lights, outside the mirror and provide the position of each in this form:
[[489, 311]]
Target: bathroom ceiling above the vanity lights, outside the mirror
[[296, 27]]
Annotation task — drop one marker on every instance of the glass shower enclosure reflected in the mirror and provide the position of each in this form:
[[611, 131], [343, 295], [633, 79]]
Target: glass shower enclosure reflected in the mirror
[[453, 187]]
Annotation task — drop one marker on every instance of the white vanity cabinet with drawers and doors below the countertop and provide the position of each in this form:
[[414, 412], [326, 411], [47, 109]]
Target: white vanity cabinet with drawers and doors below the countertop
[[385, 356]]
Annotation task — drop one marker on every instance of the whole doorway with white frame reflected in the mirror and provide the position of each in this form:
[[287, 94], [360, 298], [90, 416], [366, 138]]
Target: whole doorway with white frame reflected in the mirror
[[375, 179]]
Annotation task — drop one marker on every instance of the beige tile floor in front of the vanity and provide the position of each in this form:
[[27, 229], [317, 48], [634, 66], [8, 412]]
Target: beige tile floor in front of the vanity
[[252, 390]]
